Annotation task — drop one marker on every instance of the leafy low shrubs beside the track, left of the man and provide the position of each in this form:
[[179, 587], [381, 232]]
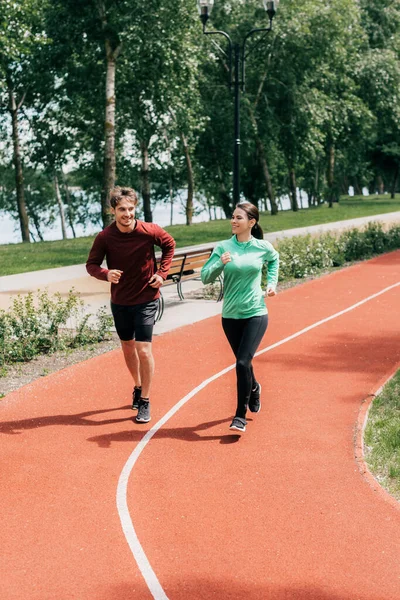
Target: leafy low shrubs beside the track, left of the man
[[43, 324]]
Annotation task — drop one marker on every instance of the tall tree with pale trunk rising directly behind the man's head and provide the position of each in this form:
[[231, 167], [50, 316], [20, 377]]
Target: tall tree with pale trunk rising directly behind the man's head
[[94, 31]]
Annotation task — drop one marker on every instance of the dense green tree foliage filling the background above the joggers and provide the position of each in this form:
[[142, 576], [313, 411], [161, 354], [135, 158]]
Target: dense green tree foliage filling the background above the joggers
[[324, 83]]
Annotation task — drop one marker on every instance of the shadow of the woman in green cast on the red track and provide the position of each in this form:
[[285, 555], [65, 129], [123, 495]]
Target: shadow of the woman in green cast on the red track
[[185, 434]]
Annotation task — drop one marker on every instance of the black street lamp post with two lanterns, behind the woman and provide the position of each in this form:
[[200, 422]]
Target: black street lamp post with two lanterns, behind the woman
[[236, 51]]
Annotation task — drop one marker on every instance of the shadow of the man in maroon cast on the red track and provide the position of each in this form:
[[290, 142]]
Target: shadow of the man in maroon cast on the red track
[[80, 419]]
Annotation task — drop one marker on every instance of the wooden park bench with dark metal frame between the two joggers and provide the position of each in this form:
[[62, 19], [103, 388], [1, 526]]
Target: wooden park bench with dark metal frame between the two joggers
[[185, 265]]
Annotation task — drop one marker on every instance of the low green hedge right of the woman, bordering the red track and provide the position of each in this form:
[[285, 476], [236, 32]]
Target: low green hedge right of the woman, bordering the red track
[[305, 255]]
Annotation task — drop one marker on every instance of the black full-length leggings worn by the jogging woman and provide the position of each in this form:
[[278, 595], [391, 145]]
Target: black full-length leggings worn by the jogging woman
[[244, 336]]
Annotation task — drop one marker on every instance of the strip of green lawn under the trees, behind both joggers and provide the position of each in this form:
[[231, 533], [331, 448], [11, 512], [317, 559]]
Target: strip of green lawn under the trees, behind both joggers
[[21, 258]]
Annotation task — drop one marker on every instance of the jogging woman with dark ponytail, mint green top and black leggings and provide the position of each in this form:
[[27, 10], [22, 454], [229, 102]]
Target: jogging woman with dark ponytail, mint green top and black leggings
[[244, 314]]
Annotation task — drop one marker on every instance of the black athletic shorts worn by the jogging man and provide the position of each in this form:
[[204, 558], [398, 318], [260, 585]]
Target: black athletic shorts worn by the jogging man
[[135, 322]]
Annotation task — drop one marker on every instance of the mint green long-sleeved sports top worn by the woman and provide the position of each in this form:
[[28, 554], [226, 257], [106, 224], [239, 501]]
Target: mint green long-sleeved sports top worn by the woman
[[243, 296]]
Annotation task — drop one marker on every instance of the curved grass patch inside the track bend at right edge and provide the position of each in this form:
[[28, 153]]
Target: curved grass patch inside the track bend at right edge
[[382, 437]]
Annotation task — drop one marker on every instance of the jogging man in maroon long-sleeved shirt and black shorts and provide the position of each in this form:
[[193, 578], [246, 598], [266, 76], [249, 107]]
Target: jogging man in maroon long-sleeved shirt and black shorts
[[128, 247]]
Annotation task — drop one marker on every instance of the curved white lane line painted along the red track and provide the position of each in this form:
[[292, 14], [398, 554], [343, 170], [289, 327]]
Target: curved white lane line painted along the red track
[[137, 550]]
